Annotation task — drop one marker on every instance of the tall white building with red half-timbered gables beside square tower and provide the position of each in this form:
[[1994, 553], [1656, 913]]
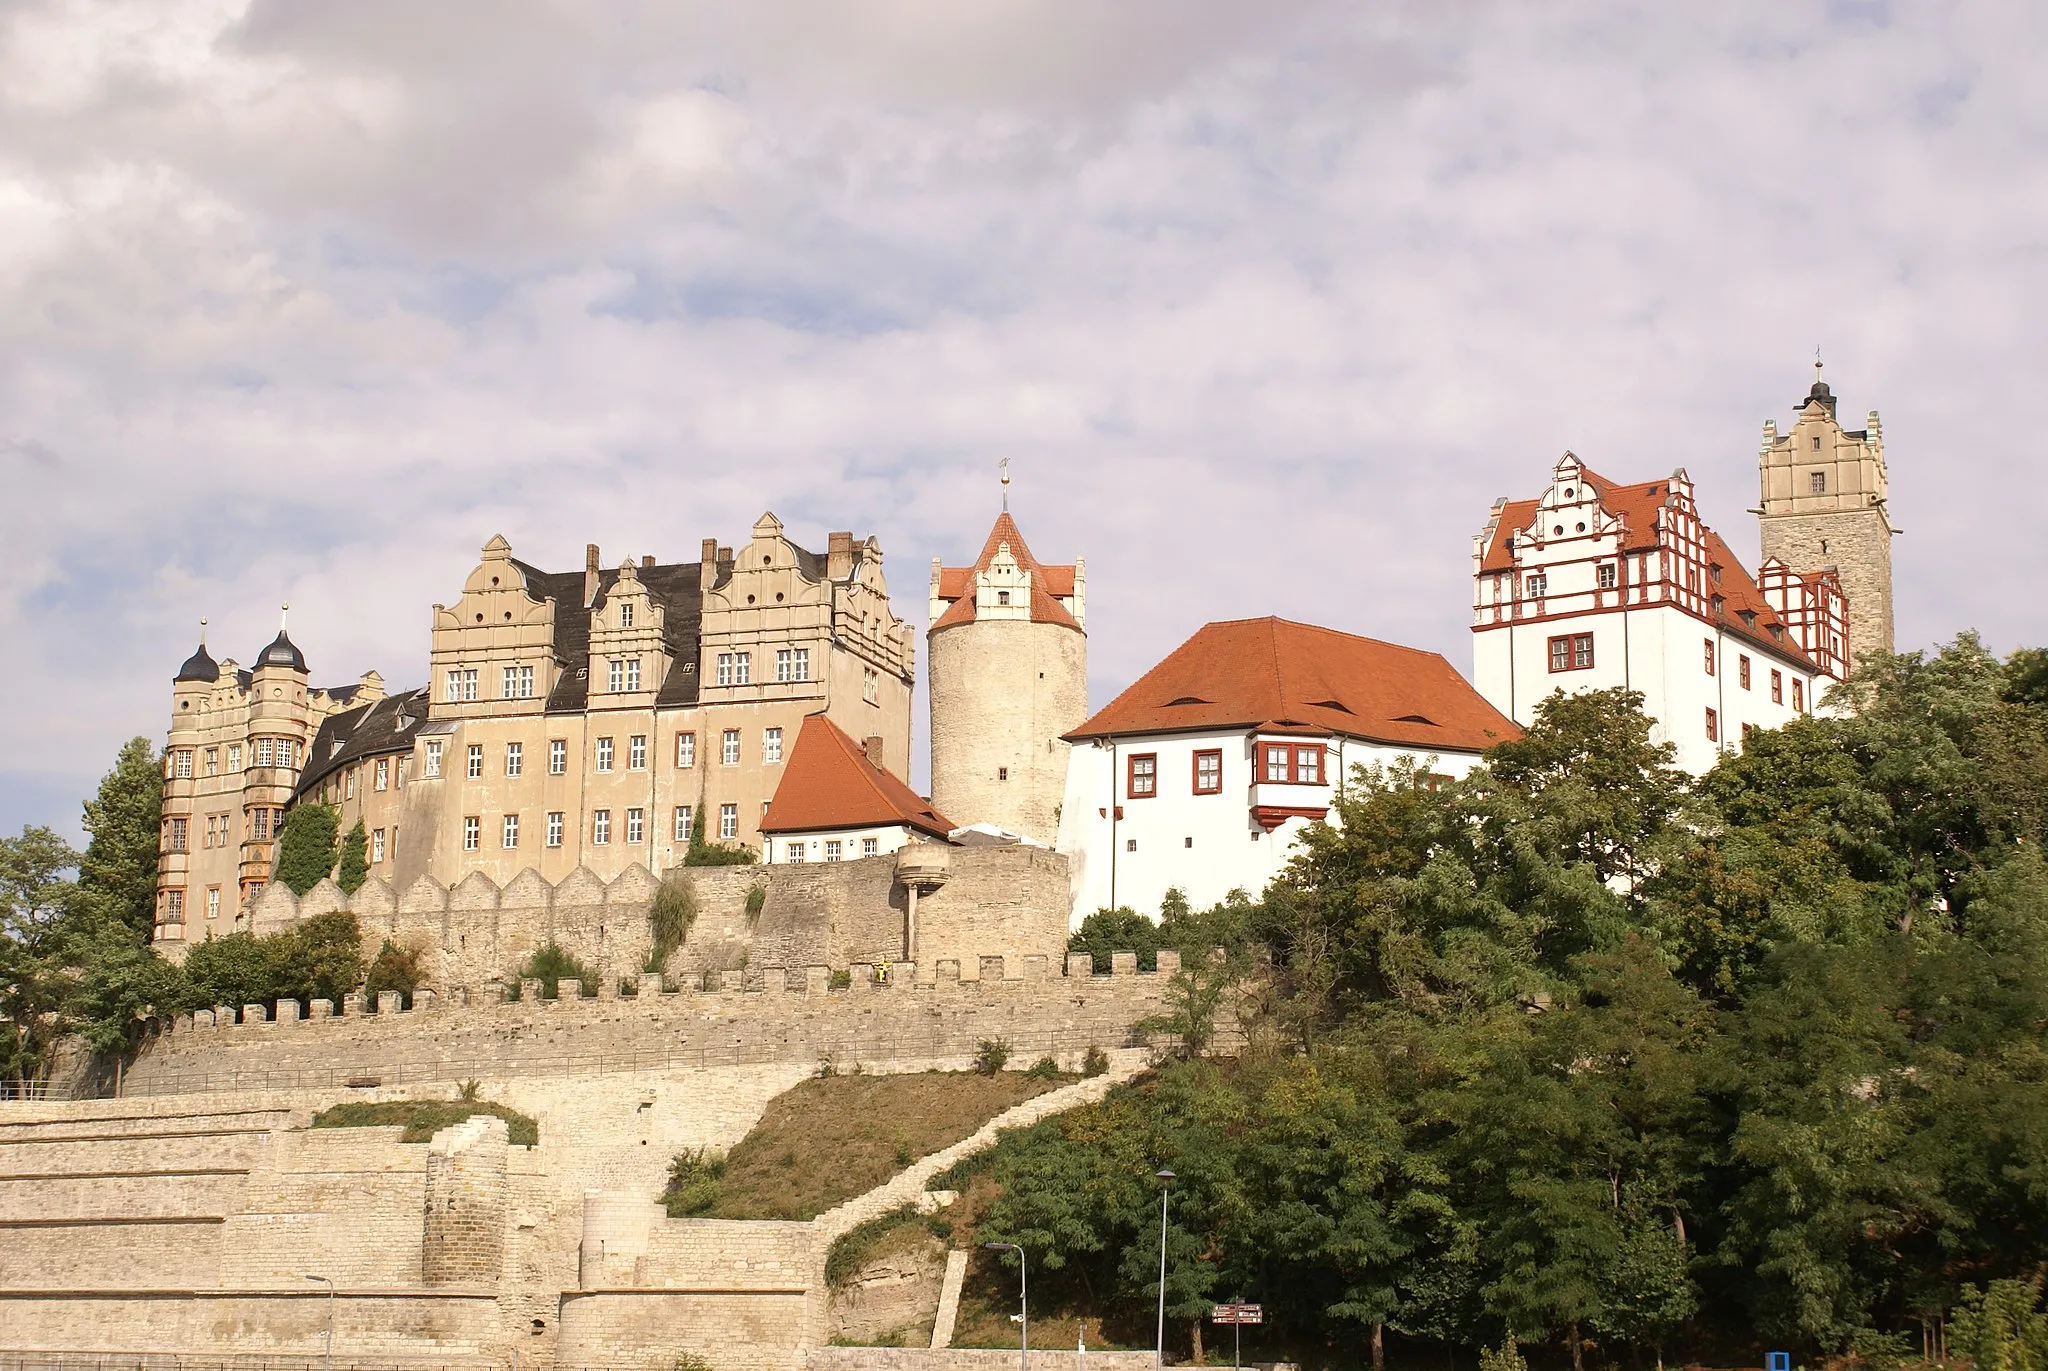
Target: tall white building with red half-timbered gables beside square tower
[[1596, 585]]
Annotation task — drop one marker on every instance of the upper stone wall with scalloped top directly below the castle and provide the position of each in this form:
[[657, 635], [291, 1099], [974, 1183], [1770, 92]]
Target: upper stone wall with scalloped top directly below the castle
[[970, 903]]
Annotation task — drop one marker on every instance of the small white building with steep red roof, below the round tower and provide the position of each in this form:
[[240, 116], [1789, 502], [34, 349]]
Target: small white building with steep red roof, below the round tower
[[837, 802]]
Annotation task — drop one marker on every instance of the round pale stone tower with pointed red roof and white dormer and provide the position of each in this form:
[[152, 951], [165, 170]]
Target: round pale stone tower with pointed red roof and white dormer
[[1009, 677]]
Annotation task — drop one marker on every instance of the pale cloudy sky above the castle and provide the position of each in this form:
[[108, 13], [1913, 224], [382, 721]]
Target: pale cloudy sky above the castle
[[1267, 304]]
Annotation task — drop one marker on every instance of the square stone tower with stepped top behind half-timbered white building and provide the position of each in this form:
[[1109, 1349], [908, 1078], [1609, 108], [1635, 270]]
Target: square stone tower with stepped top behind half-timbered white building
[[1824, 509]]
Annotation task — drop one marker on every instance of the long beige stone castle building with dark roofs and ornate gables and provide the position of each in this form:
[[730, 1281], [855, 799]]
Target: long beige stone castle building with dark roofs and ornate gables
[[572, 720]]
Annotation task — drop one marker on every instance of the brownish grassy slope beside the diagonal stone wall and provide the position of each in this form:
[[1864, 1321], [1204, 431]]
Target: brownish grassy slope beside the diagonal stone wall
[[841, 1136]]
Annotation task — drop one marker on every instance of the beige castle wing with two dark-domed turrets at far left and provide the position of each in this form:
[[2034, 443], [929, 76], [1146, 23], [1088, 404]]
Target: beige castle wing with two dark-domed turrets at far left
[[232, 757]]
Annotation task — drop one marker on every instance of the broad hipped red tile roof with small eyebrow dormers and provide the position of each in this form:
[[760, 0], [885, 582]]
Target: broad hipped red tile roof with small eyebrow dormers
[[1295, 677]]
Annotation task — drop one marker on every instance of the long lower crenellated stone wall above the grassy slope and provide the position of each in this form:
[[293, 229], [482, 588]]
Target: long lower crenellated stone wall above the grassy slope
[[785, 1020]]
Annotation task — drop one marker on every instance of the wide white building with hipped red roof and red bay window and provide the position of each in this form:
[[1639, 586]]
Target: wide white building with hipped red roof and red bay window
[[1207, 770]]
